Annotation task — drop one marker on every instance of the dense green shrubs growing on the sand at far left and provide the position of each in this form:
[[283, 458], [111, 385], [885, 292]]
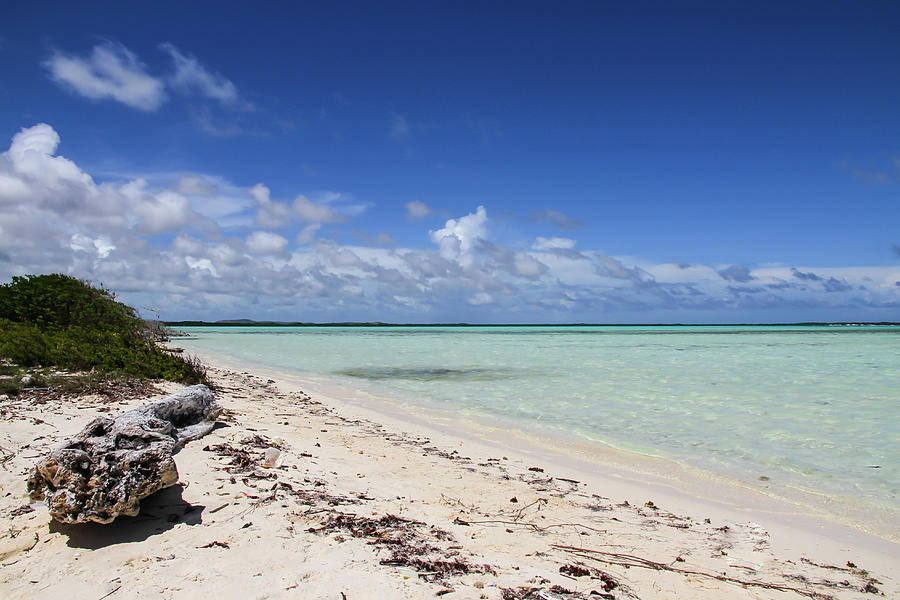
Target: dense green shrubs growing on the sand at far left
[[62, 322]]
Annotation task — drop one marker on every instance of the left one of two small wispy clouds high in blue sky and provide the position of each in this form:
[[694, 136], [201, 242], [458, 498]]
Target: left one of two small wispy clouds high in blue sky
[[111, 72]]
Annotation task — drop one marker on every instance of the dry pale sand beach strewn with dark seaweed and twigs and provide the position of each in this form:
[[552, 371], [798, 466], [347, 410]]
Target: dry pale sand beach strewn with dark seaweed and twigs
[[361, 504]]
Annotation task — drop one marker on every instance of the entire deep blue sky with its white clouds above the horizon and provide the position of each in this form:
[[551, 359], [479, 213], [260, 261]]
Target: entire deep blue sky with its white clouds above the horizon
[[579, 161]]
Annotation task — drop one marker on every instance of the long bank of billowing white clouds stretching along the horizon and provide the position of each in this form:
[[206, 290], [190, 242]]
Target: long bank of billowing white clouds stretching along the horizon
[[162, 241]]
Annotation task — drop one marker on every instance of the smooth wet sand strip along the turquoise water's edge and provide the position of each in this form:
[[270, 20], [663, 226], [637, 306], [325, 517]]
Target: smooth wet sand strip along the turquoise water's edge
[[683, 484]]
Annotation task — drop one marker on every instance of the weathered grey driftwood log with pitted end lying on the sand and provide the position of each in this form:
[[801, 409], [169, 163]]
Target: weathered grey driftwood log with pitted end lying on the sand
[[106, 469]]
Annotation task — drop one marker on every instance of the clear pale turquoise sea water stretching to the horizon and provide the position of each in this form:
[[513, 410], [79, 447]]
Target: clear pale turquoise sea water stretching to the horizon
[[816, 408]]
